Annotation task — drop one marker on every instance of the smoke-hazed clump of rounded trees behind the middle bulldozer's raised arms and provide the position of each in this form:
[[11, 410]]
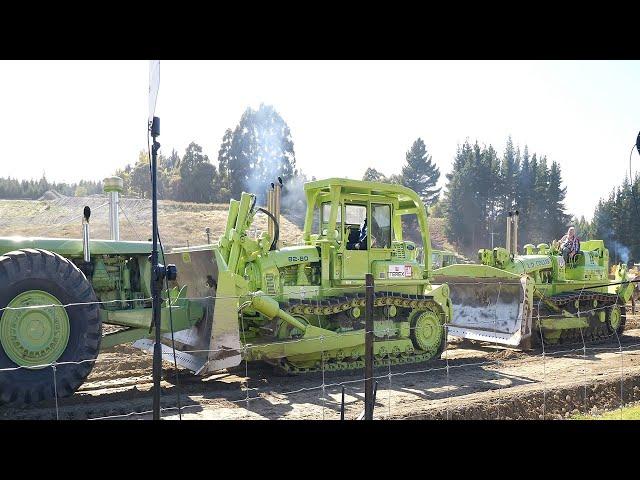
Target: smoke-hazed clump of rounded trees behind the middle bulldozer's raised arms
[[251, 156]]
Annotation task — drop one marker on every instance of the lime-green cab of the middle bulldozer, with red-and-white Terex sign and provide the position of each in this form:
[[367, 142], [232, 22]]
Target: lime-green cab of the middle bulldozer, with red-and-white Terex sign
[[359, 227]]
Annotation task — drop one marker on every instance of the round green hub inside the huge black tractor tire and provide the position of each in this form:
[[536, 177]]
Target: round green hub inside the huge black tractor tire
[[34, 336]]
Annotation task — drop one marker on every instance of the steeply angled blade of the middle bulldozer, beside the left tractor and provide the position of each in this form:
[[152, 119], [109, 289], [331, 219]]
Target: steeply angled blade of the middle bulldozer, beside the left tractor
[[216, 338]]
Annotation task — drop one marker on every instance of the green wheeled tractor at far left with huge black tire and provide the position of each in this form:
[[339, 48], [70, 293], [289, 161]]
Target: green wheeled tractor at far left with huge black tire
[[57, 293]]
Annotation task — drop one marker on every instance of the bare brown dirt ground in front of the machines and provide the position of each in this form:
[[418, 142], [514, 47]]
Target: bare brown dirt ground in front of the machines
[[471, 381]]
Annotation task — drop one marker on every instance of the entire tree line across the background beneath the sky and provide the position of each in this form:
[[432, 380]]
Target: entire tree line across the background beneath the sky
[[481, 187]]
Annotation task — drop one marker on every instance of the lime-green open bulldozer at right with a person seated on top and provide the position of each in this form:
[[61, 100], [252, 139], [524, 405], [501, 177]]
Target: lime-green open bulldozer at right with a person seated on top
[[525, 300]]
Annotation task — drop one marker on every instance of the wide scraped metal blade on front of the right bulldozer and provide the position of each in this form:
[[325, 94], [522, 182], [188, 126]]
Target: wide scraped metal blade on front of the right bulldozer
[[490, 309]]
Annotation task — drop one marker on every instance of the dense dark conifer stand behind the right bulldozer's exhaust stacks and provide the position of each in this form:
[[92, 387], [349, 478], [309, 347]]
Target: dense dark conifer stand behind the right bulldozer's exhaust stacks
[[483, 187]]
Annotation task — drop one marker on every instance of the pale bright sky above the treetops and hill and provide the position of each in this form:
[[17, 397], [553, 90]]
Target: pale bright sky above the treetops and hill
[[77, 120]]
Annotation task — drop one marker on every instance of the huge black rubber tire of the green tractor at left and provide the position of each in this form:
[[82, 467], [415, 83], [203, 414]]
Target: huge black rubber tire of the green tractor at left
[[35, 270]]
